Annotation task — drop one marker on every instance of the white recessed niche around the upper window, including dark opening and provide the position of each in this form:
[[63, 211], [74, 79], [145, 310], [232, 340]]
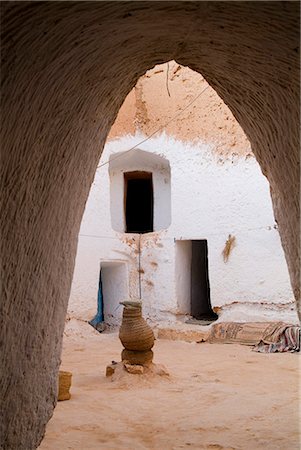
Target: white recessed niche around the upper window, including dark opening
[[140, 192]]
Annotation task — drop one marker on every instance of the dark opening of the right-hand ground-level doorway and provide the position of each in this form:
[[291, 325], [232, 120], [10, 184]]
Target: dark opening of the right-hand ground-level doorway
[[200, 288]]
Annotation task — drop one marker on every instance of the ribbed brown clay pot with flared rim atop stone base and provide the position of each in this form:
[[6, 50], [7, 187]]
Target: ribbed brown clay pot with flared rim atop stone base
[[135, 334]]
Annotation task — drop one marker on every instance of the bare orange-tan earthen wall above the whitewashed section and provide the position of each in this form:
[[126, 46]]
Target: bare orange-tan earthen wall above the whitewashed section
[[162, 93]]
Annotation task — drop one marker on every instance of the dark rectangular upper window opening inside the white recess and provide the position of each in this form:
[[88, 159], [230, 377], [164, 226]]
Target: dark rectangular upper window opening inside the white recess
[[139, 201]]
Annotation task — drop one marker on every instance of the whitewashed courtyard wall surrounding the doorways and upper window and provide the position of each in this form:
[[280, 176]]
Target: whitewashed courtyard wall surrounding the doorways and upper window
[[210, 199]]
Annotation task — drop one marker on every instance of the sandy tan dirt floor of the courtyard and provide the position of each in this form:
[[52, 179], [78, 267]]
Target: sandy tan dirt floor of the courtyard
[[217, 397]]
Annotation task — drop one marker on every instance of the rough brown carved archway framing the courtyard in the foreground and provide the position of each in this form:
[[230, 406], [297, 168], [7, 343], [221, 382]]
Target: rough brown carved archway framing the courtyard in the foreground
[[66, 69]]
